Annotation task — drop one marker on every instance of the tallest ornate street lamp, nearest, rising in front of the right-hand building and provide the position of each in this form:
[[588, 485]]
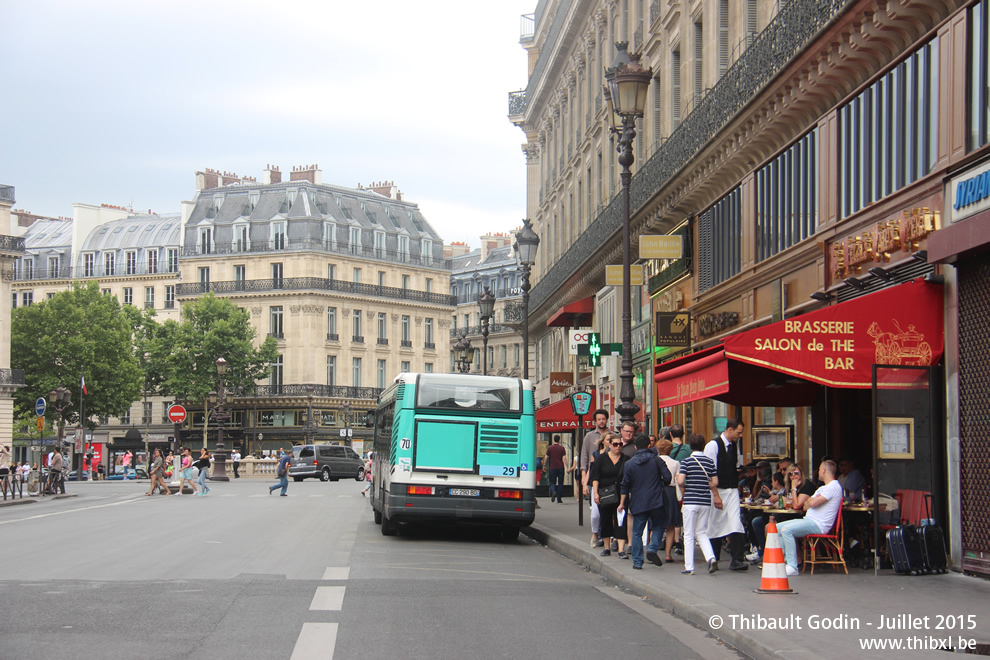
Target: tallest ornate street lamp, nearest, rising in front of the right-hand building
[[627, 85]]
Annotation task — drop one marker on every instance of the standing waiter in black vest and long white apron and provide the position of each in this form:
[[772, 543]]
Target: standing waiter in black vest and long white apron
[[725, 519]]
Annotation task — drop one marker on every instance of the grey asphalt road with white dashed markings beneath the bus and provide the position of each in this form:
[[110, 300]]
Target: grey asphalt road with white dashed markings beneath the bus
[[243, 574]]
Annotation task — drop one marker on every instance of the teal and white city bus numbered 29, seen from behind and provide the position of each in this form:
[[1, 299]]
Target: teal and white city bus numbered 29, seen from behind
[[455, 448]]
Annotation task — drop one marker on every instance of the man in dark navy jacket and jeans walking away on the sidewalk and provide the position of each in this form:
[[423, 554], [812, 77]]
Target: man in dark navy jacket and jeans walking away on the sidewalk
[[644, 477]]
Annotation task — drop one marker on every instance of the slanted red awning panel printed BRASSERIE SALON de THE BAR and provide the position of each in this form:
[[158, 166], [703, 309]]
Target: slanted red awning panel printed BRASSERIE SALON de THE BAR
[[838, 345]]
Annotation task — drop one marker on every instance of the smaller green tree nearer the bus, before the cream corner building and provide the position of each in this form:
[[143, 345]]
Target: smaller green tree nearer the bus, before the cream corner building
[[211, 328]]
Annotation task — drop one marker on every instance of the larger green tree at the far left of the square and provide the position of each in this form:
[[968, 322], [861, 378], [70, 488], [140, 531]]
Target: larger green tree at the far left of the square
[[75, 333]]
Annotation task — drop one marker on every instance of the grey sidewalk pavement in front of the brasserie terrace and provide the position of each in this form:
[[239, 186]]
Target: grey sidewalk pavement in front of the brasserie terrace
[[821, 599]]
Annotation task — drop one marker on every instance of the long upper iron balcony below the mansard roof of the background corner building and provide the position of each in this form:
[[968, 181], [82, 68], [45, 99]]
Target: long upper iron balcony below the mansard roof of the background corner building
[[311, 284]]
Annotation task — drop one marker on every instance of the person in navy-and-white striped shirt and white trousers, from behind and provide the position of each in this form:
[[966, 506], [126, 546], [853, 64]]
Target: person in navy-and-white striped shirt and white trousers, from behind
[[699, 483]]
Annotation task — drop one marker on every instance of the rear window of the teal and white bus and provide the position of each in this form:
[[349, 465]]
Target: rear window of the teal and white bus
[[490, 394]]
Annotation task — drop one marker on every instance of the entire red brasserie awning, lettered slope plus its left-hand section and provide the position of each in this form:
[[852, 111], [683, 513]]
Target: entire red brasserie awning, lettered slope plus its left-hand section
[[784, 363]]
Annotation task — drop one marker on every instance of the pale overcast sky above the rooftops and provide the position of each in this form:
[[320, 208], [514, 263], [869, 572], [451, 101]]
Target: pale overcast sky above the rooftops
[[121, 102]]
